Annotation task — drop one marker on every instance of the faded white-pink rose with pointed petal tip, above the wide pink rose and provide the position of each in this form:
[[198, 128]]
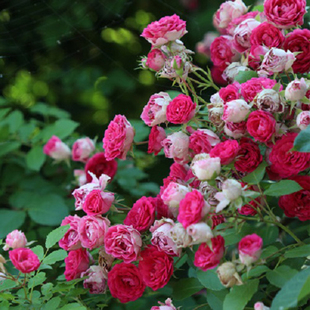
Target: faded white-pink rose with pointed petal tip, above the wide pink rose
[[275, 61]]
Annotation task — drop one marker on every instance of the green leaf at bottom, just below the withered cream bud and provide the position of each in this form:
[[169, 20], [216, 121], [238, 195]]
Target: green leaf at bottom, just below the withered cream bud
[[239, 296]]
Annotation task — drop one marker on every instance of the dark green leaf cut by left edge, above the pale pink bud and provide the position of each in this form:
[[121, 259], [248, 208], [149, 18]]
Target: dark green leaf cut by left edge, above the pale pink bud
[[10, 220]]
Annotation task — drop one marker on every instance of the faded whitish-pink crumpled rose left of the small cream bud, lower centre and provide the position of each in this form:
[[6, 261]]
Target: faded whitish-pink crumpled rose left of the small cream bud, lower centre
[[161, 237]]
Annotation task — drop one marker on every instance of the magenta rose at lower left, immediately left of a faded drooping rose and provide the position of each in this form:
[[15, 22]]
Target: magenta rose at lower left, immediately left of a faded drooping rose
[[76, 262]]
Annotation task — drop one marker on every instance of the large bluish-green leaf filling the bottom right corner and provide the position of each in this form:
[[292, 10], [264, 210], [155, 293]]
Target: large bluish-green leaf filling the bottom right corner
[[293, 291]]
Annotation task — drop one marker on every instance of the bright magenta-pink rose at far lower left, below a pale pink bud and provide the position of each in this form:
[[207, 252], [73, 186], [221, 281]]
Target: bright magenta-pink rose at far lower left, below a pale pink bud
[[24, 260]]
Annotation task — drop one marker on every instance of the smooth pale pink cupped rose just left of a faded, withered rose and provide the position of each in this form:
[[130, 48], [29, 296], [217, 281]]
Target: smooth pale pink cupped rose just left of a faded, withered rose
[[236, 111]]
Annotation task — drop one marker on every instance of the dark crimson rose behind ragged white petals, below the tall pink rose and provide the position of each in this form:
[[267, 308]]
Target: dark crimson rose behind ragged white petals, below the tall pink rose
[[98, 165]]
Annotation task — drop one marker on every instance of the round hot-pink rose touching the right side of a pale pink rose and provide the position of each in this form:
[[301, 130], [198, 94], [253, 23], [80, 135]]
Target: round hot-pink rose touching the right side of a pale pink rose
[[181, 110]]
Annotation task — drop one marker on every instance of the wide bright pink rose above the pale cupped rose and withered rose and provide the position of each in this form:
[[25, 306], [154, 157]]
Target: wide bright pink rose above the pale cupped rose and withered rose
[[252, 87]]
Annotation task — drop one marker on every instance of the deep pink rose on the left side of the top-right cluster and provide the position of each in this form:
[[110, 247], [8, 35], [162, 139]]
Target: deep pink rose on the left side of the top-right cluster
[[222, 52]]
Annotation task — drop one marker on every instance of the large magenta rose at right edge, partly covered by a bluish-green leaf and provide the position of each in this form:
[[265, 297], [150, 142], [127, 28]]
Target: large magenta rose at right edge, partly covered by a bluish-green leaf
[[285, 162]]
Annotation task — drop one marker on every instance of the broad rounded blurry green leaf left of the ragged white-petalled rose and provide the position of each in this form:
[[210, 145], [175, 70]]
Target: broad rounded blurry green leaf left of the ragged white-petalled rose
[[48, 210]]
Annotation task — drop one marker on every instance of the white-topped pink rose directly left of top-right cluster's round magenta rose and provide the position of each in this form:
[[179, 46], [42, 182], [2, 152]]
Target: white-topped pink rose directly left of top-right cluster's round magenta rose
[[242, 34]]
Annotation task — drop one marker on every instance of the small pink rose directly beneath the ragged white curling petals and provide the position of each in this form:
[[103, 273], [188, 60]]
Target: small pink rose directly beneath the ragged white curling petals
[[98, 202]]
